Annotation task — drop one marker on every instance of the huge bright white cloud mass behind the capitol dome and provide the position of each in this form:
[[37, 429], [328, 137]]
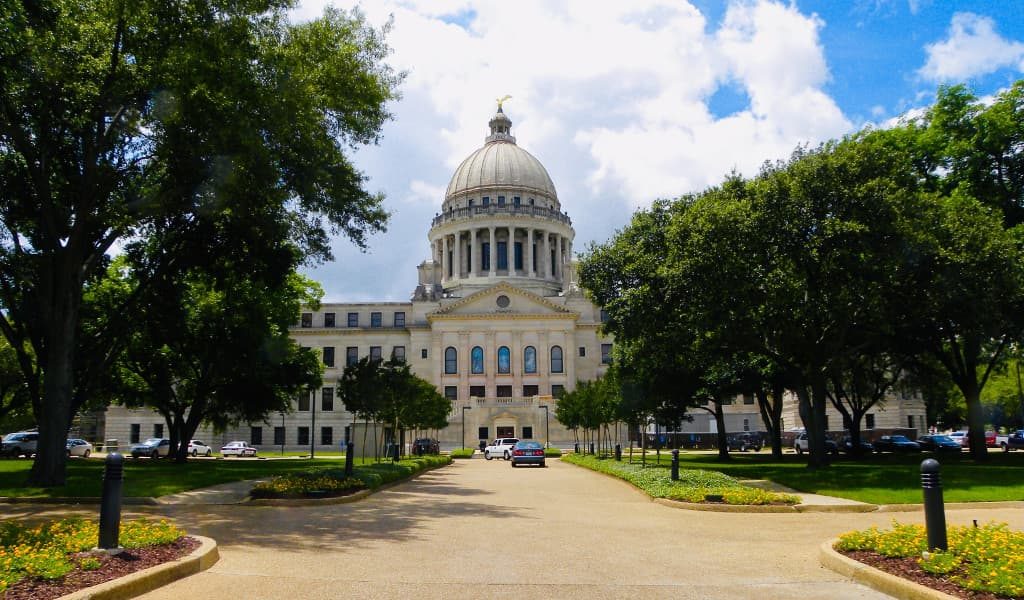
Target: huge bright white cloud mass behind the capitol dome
[[614, 99]]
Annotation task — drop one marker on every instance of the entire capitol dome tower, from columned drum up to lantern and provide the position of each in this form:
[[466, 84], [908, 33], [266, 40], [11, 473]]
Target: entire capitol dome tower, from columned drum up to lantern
[[501, 222]]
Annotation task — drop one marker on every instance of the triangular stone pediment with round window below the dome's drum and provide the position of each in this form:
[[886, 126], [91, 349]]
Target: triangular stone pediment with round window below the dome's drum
[[503, 301]]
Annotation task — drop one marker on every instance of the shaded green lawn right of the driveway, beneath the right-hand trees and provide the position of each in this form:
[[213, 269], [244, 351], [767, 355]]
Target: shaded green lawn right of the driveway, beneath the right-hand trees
[[876, 480]]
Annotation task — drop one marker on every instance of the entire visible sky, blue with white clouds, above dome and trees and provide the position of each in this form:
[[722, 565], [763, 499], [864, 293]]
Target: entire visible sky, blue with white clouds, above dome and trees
[[626, 103]]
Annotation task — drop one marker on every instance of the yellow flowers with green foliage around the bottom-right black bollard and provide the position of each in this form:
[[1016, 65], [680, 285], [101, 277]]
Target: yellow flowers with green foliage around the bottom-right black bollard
[[989, 560]]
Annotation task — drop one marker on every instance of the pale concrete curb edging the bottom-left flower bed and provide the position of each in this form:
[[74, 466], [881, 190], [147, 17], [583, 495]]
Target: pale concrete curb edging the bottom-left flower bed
[[148, 580]]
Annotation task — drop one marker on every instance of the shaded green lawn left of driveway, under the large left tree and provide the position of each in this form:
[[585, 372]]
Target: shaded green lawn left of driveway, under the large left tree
[[145, 478]]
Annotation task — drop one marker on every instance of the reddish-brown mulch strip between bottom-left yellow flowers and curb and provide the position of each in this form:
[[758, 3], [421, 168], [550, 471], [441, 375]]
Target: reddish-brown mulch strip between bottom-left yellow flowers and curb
[[111, 568]]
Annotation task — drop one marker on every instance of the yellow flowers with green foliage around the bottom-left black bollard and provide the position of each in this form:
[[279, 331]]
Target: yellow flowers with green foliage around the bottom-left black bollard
[[51, 552]]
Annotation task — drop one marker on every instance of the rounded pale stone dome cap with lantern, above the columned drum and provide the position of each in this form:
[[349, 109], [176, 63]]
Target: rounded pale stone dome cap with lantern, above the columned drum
[[501, 165]]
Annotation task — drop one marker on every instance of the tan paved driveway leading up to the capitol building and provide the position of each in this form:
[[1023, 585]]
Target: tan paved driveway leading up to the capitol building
[[481, 530]]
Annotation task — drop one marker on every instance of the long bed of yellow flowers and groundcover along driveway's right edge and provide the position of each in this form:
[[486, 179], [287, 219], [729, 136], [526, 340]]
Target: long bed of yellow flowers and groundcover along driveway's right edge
[[694, 486]]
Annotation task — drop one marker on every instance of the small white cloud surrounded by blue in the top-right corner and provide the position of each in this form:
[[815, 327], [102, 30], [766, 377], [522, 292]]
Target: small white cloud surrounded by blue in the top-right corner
[[973, 49]]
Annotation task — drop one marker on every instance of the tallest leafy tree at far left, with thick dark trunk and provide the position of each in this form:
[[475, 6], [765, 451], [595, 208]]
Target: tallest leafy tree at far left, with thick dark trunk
[[117, 117]]
